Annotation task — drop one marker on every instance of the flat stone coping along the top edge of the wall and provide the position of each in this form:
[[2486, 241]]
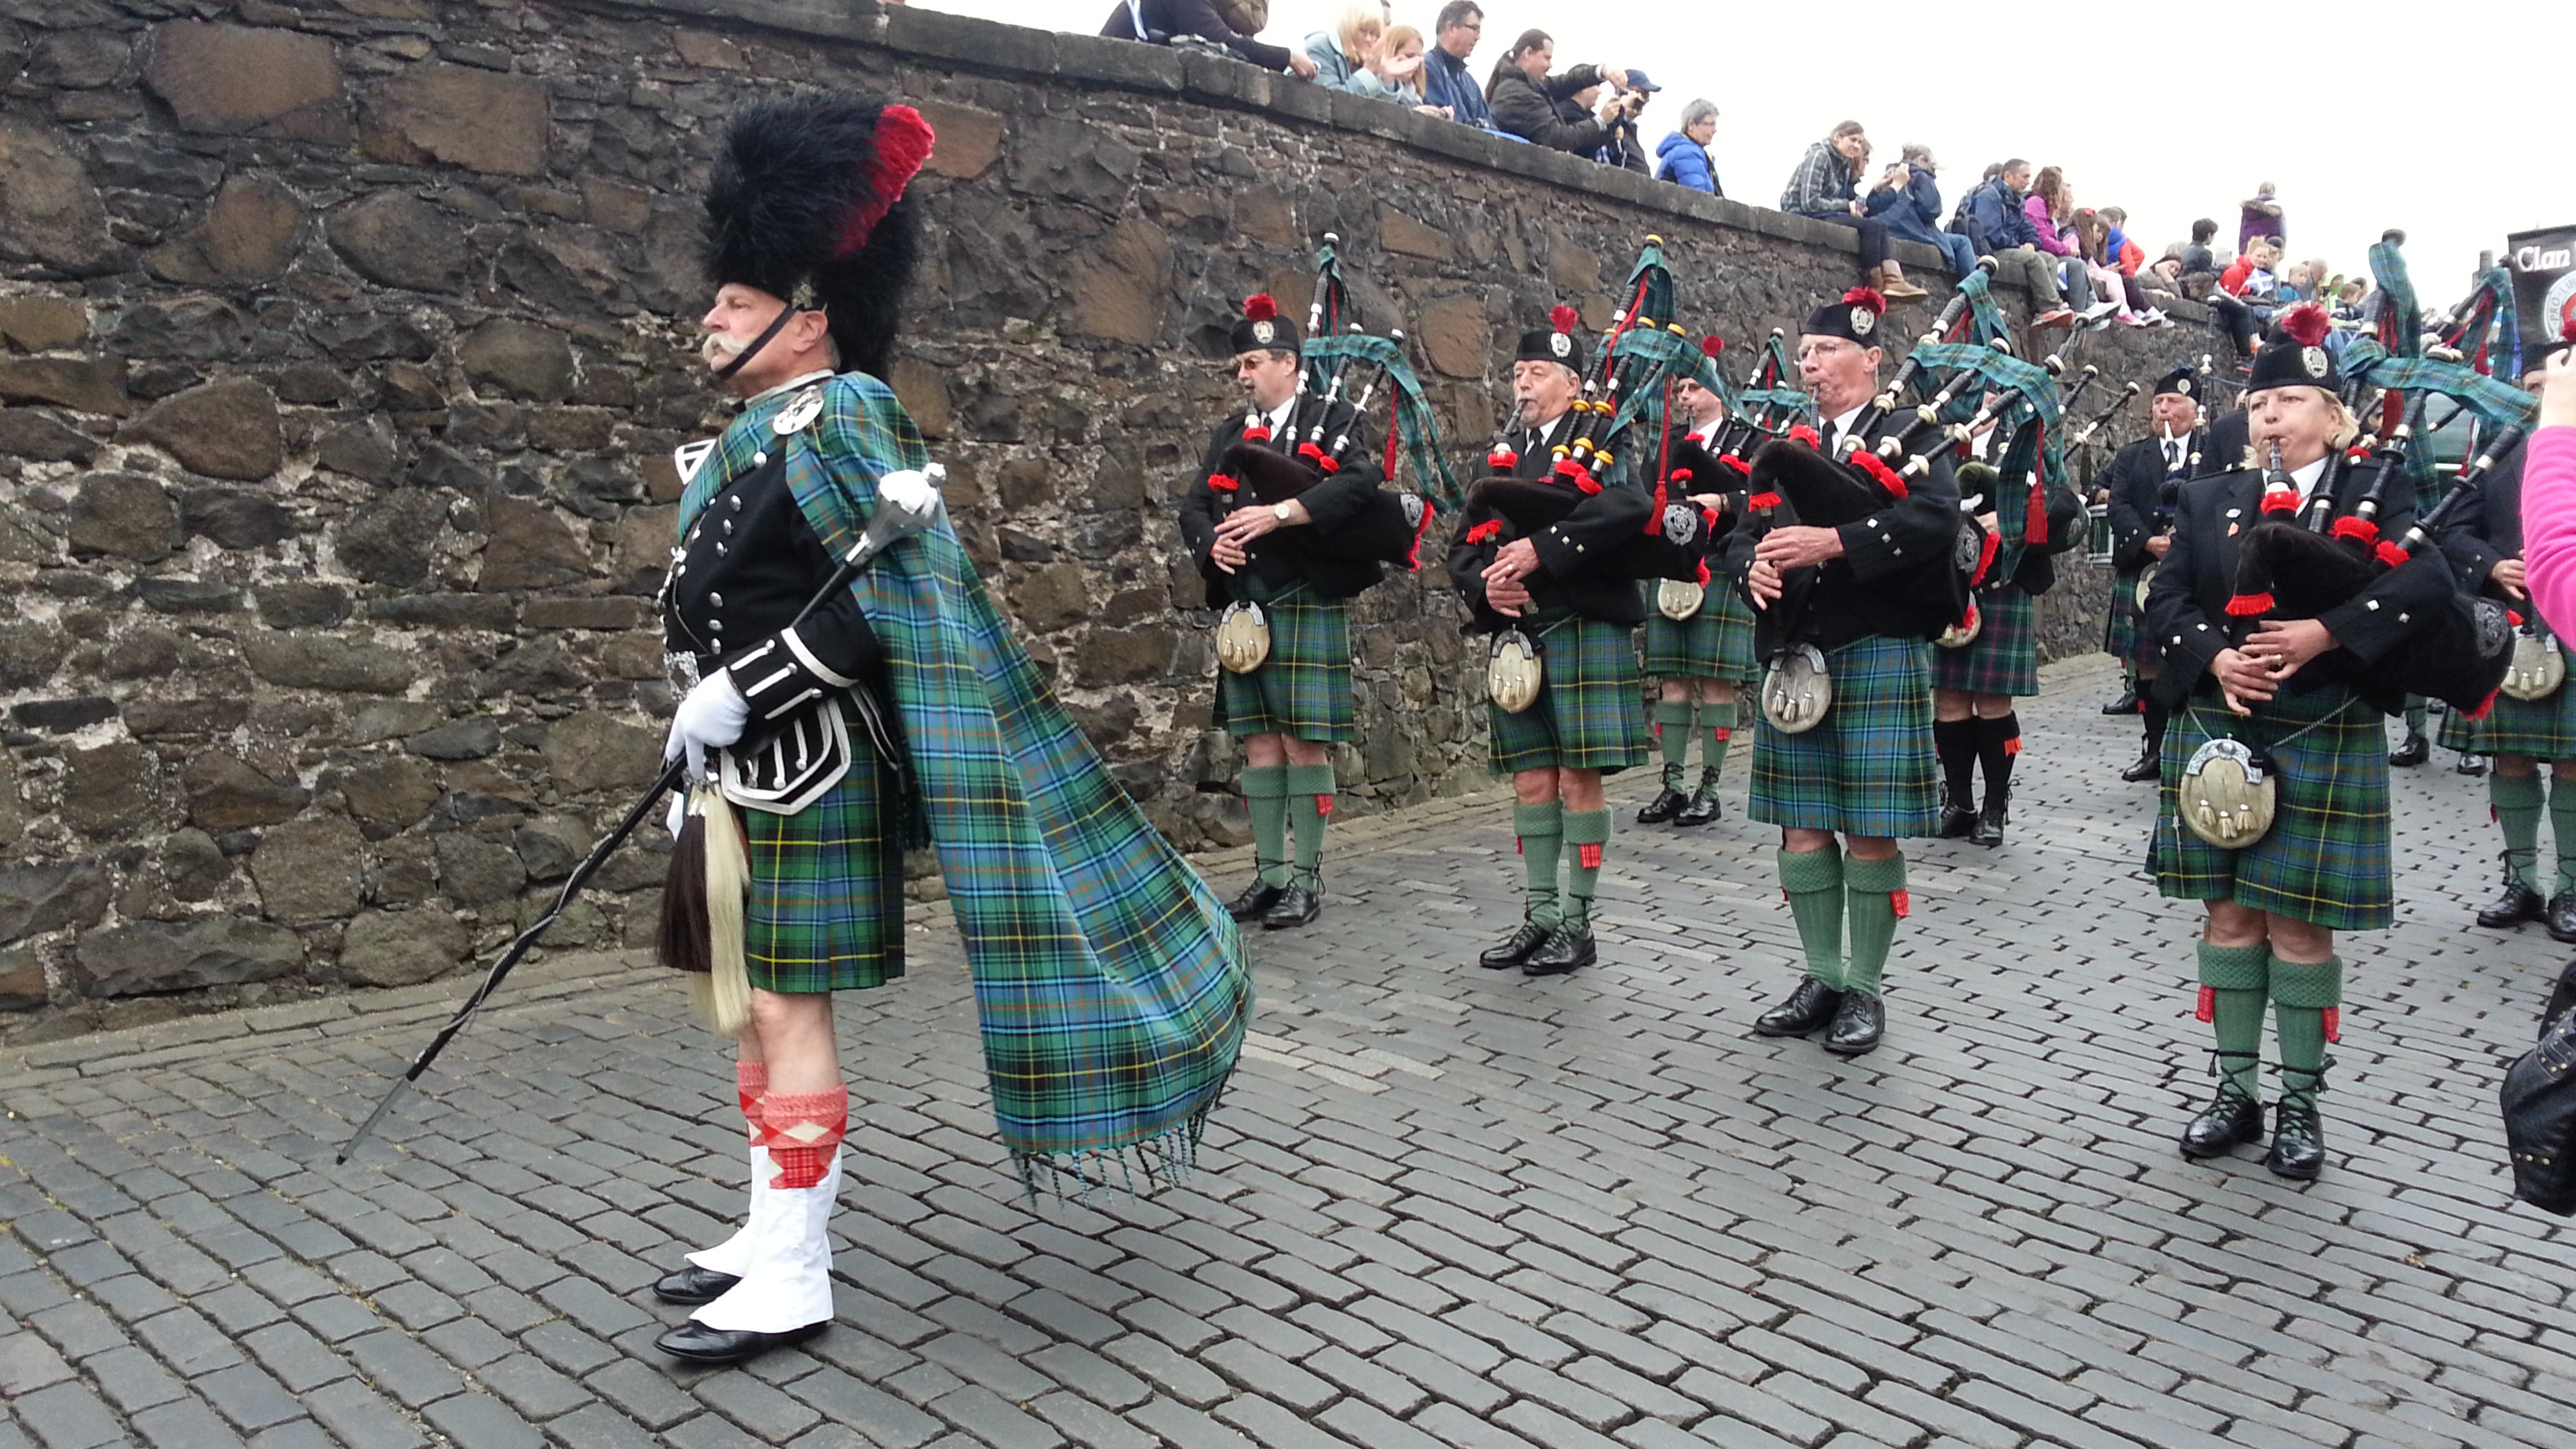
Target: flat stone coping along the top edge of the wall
[[993, 48]]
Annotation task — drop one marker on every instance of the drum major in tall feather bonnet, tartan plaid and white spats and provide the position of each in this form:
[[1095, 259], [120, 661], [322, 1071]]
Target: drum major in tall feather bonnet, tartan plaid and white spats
[[831, 713]]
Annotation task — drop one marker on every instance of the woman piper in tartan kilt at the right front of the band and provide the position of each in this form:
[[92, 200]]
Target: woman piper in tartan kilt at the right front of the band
[[2291, 618]]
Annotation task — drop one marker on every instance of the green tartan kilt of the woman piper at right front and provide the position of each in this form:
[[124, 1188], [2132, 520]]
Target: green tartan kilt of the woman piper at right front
[[2327, 855]]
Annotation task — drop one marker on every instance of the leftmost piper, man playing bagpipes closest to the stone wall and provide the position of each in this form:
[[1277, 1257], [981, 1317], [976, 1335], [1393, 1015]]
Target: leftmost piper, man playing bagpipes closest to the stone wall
[[1279, 525]]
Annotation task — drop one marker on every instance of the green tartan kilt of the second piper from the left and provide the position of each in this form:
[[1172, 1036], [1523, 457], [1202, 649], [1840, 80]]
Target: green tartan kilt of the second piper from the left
[[1586, 715]]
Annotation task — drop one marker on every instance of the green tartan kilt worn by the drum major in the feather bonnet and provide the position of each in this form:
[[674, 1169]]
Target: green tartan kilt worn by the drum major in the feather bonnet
[[828, 888]]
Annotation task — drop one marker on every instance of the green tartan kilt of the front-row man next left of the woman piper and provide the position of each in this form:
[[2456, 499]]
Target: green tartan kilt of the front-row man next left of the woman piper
[[1866, 770]]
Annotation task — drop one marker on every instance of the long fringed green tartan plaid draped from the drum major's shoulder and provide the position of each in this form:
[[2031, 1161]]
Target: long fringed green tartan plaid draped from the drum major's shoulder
[[1112, 986]]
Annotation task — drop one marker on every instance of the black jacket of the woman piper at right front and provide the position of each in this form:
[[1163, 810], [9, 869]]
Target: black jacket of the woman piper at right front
[[2188, 605]]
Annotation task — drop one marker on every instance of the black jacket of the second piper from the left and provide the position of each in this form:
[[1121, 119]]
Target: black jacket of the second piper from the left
[[1578, 558]]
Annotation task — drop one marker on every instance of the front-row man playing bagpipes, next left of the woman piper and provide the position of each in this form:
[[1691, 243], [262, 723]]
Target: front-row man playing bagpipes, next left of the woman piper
[[1851, 566]]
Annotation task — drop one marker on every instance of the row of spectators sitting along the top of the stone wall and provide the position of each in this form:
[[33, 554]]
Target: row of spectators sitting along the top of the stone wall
[[2078, 262]]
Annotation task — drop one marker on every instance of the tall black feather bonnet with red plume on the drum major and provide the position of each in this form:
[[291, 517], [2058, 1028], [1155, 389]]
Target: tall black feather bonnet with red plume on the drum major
[[808, 205]]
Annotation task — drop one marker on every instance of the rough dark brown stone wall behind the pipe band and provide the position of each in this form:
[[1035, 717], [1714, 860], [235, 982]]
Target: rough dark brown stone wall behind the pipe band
[[344, 347]]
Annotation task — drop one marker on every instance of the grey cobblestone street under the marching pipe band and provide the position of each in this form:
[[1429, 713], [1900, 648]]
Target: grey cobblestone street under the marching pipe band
[[1439, 1208]]
